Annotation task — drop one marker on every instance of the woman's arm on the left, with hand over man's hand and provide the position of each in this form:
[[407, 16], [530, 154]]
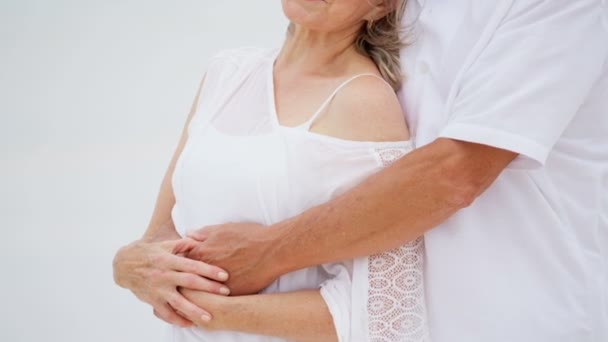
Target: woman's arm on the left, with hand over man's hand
[[151, 268]]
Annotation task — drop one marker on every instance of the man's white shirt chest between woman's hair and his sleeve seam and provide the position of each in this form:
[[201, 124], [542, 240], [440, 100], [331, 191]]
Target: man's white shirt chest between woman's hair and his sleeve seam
[[444, 39]]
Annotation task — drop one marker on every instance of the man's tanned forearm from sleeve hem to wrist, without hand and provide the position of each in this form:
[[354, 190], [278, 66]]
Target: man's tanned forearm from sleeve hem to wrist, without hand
[[397, 205]]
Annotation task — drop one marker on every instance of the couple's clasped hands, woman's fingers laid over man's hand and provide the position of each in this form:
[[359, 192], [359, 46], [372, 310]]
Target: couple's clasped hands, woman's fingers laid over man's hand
[[163, 273]]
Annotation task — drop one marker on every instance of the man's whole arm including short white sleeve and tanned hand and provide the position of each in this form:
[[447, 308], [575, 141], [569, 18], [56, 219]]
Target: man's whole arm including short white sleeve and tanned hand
[[519, 95]]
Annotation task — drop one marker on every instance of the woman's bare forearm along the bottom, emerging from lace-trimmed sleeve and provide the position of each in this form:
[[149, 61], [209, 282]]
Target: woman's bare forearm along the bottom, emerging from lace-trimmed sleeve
[[300, 316]]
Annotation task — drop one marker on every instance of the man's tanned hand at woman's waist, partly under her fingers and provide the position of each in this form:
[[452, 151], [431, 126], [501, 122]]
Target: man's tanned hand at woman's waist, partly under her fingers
[[241, 248]]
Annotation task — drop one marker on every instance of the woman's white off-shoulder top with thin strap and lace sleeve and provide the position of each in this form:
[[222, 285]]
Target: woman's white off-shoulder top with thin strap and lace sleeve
[[241, 165]]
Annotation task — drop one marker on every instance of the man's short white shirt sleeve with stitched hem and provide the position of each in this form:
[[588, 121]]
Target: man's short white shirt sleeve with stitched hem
[[529, 81]]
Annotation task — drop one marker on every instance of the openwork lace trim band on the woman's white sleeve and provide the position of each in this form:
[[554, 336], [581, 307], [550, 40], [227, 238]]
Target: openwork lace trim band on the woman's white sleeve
[[396, 303]]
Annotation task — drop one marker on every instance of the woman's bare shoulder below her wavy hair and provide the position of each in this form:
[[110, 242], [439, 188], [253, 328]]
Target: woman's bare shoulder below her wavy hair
[[366, 109]]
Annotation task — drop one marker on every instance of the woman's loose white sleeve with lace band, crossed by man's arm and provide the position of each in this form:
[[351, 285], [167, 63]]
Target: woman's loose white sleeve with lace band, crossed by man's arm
[[379, 298]]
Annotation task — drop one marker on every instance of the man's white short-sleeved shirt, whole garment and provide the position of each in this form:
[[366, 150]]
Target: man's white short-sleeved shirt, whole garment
[[528, 260]]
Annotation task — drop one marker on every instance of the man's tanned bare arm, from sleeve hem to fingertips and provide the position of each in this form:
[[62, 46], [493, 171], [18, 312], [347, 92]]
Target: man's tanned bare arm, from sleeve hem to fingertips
[[394, 206]]
